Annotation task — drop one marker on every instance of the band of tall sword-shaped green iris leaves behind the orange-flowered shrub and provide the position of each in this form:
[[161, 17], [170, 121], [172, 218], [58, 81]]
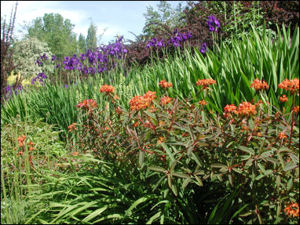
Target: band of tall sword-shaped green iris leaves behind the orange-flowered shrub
[[234, 68]]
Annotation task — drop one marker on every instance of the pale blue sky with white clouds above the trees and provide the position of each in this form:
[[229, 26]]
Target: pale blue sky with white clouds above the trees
[[111, 17]]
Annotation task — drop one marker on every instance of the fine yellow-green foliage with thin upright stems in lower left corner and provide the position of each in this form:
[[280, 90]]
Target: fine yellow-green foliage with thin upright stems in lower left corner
[[23, 168]]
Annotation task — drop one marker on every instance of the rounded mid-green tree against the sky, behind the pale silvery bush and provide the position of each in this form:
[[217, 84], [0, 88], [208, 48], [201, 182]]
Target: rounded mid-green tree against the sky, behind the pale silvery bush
[[56, 32]]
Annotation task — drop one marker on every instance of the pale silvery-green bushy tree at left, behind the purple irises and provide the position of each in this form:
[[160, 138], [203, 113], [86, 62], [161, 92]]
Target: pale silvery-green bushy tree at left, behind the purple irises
[[26, 53]]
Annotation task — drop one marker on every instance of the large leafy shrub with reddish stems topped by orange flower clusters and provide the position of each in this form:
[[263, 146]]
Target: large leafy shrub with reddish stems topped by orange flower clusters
[[255, 145]]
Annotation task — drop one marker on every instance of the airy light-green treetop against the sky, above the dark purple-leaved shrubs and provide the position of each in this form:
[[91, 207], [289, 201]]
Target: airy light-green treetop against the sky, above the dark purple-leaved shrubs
[[165, 15]]
